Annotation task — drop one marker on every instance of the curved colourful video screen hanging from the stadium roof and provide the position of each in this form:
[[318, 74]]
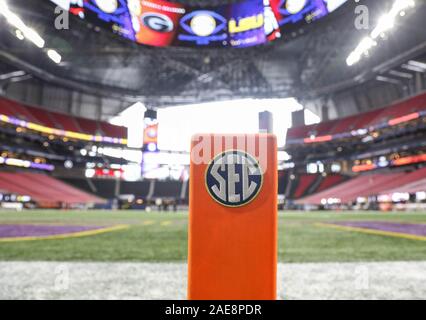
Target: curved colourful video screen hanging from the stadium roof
[[162, 23]]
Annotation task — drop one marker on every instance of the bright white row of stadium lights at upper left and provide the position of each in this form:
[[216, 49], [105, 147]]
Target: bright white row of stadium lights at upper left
[[25, 32]]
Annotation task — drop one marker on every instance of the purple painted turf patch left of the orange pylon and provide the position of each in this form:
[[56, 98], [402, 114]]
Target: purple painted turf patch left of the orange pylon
[[29, 230]]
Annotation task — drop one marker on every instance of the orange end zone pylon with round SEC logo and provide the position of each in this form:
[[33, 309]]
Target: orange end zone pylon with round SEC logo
[[233, 218]]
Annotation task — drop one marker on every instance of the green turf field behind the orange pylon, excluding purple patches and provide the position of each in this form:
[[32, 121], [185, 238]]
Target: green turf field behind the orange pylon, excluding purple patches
[[162, 237]]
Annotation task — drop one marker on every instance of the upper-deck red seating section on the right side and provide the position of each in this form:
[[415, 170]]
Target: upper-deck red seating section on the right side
[[360, 121]]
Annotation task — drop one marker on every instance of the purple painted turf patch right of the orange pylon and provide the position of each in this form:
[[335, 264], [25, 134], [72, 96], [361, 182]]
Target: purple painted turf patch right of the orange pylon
[[406, 228]]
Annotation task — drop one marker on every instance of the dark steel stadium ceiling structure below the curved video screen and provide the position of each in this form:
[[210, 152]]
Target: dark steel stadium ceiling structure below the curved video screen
[[310, 64]]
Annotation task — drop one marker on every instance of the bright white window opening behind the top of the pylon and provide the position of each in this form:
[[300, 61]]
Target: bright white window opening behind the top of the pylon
[[178, 124]]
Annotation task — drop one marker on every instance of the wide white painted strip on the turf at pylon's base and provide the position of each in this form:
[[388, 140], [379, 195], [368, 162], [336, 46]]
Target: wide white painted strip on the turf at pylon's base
[[77, 280]]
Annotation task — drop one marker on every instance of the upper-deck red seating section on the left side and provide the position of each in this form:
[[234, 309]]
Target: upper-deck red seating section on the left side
[[59, 121]]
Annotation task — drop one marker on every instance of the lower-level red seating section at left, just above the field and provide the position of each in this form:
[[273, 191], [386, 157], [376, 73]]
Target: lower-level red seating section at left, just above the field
[[42, 188]]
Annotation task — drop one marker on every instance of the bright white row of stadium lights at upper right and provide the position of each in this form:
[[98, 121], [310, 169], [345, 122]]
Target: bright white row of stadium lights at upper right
[[386, 23]]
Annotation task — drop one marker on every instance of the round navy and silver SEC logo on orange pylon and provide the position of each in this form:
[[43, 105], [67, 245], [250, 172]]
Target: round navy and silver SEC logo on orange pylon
[[234, 178]]
